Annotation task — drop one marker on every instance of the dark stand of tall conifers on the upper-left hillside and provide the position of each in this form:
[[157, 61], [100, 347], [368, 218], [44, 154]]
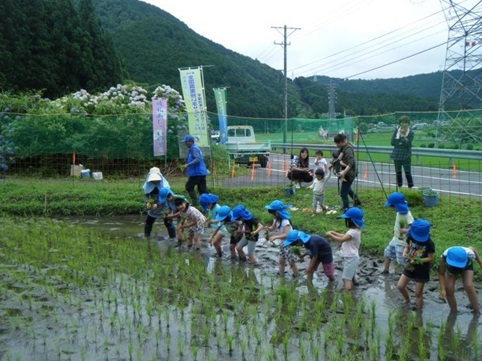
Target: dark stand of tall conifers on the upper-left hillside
[[55, 47]]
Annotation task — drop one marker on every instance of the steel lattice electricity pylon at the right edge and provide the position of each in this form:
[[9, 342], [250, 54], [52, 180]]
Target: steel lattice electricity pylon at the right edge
[[462, 76]]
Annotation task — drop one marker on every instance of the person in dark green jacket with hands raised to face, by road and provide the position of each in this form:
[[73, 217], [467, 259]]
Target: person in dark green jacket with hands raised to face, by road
[[402, 139]]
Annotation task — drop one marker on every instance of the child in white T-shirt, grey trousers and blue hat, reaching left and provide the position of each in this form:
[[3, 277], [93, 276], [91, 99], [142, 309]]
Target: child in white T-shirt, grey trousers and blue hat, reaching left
[[350, 246]]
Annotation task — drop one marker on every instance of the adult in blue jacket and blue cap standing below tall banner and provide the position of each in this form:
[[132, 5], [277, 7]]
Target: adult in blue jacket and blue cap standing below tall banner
[[196, 170]]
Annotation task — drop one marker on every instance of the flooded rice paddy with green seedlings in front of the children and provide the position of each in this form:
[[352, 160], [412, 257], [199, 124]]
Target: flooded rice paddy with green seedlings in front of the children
[[95, 290]]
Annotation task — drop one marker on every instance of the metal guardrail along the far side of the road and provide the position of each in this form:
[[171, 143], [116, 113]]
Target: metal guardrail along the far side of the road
[[450, 154]]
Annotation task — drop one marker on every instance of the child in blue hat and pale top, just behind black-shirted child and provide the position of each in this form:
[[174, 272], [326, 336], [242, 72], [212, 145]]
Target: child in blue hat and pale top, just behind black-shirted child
[[403, 220]]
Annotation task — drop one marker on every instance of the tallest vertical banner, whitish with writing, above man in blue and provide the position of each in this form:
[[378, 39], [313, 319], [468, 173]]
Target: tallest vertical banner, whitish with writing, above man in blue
[[193, 93]]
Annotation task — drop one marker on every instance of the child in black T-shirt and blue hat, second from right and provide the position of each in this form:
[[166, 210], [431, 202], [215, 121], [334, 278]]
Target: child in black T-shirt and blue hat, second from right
[[418, 253]]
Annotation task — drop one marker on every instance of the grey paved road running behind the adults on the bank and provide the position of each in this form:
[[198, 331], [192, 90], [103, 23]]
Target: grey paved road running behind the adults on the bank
[[444, 181]]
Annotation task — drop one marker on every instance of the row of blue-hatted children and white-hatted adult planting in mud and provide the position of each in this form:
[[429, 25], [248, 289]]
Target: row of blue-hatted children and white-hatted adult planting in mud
[[411, 245]]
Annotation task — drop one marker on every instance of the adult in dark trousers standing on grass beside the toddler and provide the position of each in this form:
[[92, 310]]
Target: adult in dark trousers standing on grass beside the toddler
[[348, 171]]
